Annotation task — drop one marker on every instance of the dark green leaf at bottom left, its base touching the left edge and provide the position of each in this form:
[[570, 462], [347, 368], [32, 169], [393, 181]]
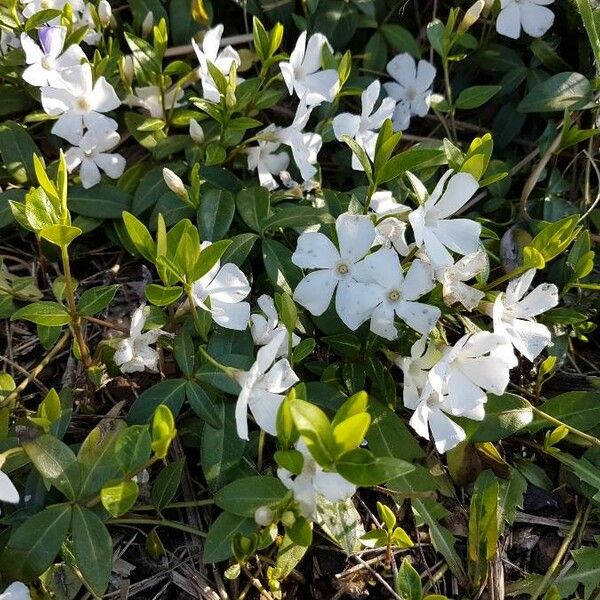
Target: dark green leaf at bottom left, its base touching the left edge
[[33, 545]]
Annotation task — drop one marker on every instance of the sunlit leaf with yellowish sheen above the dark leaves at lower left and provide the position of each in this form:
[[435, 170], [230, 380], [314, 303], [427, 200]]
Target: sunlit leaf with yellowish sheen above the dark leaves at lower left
[[55, 462]]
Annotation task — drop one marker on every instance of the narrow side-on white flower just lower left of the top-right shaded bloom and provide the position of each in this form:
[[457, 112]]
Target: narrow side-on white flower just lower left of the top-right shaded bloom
[[363, 128]]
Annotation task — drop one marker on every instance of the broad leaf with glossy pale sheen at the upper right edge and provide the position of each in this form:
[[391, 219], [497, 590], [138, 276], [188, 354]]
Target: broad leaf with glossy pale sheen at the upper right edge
[[565, 91]]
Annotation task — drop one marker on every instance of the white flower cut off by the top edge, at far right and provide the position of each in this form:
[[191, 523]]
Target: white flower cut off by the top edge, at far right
[[531, 15]]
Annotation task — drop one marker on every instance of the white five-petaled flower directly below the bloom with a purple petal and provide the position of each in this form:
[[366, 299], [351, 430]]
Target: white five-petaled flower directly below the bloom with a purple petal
[[81, 105]]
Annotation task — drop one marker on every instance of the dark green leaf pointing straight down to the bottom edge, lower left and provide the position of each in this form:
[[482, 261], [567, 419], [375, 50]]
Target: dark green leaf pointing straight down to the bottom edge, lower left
[[92, 549]]
